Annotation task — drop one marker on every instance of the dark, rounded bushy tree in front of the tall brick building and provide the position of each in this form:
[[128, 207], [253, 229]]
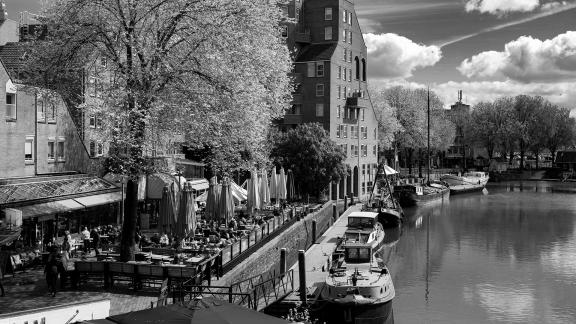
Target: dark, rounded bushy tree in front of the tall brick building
[[313, 157]]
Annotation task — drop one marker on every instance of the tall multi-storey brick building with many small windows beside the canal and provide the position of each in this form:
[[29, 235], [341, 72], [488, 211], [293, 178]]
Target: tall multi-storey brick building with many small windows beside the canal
[[331, 87]]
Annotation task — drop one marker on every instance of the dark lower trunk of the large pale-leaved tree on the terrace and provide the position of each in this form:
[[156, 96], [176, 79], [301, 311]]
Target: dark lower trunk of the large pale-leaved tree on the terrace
[[128, 242]]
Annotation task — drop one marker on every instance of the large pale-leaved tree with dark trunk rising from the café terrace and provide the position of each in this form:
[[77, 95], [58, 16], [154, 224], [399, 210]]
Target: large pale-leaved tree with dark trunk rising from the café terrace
[[215, 72]]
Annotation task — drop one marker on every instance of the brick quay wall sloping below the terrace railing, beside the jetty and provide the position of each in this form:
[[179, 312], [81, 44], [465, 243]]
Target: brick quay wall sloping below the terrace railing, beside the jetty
[[297, 237]]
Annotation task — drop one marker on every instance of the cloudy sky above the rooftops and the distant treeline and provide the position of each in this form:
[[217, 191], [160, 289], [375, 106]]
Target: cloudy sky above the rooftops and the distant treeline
[[487, 48]]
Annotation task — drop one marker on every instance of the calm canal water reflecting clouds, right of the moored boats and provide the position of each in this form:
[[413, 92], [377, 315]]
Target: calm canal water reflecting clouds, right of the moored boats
[[505, 256]]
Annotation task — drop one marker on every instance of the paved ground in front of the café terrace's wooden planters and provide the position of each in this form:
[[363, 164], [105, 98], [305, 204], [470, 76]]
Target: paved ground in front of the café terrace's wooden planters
[[28, 290]]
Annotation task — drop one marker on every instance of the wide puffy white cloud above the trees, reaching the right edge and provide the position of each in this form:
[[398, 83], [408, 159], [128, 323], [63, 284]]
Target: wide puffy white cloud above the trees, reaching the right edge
[[527, 59]]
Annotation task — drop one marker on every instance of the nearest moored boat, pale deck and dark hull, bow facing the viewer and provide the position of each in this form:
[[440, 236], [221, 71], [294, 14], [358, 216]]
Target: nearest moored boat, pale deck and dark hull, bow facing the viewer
[[357, 289]]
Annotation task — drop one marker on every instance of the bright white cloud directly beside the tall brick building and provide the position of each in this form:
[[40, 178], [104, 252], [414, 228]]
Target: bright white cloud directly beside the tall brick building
[[393, 56]]
